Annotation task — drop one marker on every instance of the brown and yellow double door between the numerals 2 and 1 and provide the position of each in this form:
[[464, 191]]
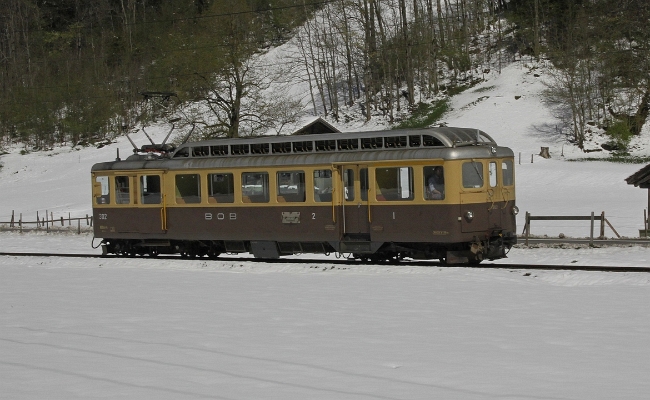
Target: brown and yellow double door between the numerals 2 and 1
[[356, 225]]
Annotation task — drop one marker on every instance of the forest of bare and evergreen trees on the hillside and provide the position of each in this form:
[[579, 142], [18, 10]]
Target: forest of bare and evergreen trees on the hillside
[[79, 72]]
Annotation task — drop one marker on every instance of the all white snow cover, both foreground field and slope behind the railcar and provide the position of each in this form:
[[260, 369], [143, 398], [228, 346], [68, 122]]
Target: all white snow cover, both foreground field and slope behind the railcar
[[297, 329]]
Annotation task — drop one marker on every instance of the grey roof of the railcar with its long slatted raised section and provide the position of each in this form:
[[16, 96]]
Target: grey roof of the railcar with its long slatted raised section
[[426, 143]]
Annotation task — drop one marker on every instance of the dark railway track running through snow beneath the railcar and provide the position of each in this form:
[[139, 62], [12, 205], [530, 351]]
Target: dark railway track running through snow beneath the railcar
[[345, 261]]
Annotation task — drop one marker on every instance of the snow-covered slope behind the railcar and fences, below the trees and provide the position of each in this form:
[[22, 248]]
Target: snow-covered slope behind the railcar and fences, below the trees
[[508, 106]]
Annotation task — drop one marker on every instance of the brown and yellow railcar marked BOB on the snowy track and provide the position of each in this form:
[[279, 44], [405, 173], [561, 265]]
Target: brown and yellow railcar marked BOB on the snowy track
[[435, 193]]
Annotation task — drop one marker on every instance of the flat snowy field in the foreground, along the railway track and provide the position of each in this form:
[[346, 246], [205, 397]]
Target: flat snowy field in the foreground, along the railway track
[[235, 329]]
